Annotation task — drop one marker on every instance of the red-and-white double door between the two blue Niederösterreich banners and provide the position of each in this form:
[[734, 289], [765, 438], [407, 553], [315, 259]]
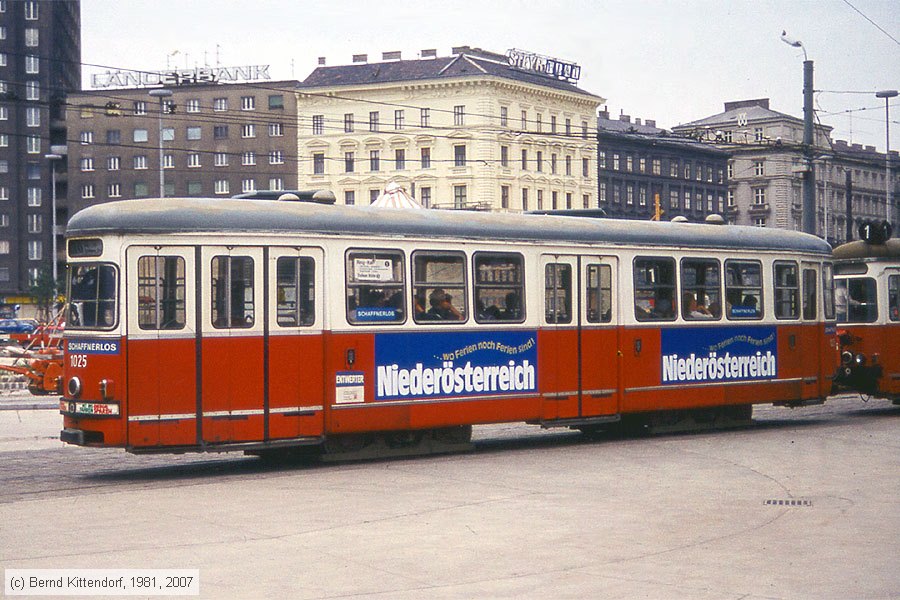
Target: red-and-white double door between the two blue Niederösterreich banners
[[579, 370]]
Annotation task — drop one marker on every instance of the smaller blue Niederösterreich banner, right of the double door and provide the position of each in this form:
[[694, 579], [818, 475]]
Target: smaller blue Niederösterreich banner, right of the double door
[[719, 354]]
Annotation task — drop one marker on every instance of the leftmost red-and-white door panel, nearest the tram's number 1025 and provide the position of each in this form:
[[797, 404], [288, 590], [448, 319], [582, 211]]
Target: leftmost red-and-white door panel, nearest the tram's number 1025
[[162, 346]]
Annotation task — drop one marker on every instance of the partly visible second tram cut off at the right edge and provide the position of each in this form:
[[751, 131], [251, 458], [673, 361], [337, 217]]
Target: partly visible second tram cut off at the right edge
[[867, 297]]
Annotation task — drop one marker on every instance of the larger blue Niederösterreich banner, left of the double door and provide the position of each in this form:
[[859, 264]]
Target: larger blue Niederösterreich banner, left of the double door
[[411, 366]]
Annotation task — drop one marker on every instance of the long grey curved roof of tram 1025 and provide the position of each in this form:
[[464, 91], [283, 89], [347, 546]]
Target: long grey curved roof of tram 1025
[[214, 215]]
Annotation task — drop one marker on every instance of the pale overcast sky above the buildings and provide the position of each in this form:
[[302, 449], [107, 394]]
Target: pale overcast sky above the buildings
[[674, 61]]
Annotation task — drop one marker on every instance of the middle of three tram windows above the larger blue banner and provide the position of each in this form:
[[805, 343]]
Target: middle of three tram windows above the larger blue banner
[[439, 287]]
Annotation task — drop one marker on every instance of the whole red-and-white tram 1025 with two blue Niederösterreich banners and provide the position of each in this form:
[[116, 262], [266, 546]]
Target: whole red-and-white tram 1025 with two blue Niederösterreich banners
[[209, 325]]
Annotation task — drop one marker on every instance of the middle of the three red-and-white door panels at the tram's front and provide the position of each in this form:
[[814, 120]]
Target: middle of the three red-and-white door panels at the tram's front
[[233, 321]]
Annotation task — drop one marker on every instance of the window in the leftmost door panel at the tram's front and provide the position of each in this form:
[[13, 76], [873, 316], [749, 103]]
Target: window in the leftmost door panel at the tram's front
[[161, 292]]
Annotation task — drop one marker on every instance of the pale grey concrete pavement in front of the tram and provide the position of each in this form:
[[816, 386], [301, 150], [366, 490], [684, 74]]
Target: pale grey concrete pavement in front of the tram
[[801, 505]]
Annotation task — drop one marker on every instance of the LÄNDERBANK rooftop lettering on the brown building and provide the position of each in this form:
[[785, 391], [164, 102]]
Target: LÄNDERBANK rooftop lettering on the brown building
[[179, 76]]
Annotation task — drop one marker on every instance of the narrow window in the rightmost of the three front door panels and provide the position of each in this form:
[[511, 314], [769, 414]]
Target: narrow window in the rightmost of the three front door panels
[[295, 290]]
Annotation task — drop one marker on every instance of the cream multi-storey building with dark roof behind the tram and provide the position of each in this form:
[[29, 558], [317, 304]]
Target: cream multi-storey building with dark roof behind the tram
[[473, 130]]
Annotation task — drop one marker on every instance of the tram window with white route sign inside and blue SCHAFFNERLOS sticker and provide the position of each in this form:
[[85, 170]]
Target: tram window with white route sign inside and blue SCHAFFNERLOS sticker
[[373, 283]]
